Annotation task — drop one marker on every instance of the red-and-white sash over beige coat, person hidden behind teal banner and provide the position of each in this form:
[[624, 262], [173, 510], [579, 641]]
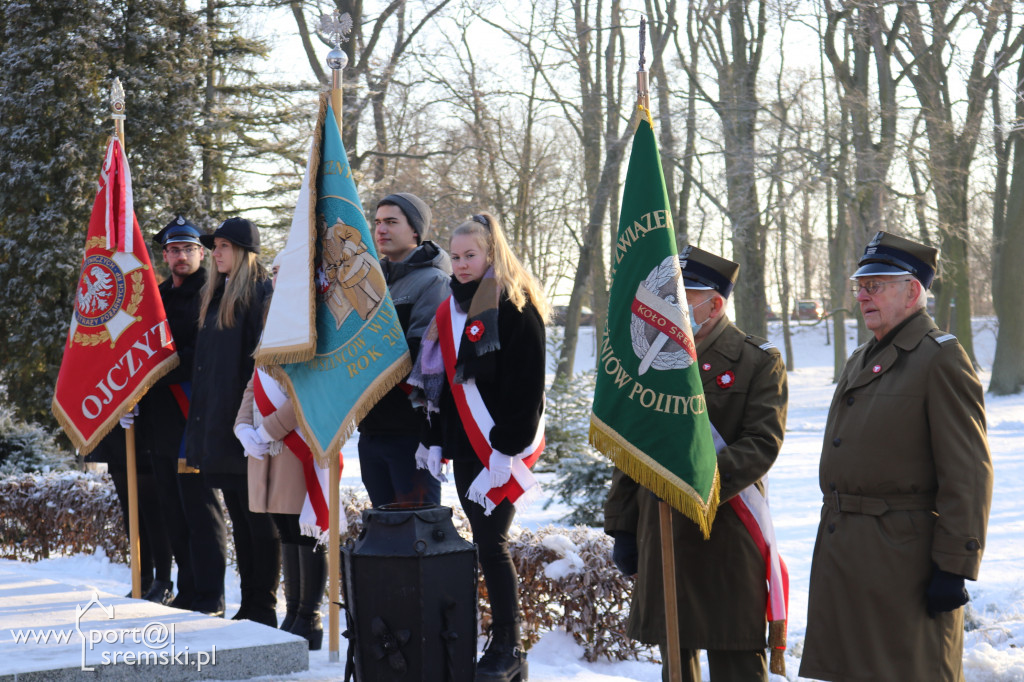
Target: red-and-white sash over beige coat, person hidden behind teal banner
[[314, 521]]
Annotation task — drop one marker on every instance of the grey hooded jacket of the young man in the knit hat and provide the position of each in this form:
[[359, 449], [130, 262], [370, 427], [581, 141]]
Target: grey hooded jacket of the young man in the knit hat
[[417, 285]]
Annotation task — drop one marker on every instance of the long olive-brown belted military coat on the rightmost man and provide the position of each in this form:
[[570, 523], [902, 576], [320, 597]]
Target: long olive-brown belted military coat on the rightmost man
[[908, 481]]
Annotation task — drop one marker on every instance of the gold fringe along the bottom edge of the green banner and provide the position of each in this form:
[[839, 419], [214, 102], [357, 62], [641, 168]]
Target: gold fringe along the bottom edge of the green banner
[[649, 473]]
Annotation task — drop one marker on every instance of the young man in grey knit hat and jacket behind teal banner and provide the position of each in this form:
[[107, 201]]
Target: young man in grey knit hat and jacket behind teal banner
[[418, 273]]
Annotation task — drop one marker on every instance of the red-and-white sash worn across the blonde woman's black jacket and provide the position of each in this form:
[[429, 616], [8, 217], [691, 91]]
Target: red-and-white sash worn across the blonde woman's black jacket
[[477, 420]]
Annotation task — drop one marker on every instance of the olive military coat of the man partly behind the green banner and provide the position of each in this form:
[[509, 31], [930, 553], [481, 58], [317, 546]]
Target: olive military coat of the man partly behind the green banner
[[720, 582]]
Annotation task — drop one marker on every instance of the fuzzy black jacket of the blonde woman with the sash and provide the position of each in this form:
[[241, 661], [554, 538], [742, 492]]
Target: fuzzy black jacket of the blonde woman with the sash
[[515, 395]]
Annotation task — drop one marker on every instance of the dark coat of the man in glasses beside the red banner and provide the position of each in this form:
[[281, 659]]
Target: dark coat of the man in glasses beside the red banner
[[161, 424]]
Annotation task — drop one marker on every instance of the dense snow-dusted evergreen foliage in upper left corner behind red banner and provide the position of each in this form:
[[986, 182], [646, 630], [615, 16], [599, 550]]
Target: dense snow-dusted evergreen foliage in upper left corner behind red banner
[[58, 62]]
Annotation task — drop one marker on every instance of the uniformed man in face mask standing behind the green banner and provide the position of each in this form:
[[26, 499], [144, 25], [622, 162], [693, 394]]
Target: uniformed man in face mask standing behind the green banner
[[720, 582]]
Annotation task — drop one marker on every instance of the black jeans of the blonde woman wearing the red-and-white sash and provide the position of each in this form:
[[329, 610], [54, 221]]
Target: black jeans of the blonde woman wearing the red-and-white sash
[[492, 537]]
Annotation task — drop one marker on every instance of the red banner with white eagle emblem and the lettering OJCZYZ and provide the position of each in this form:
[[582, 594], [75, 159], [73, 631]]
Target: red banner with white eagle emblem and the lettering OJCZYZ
[[119, 344]]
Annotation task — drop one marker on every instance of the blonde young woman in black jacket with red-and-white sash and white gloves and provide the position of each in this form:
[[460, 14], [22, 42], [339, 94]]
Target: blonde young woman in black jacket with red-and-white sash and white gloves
[[482, 372]]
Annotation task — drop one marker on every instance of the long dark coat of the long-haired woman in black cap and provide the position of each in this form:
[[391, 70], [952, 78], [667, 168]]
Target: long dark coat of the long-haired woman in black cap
[[223, 367]]
